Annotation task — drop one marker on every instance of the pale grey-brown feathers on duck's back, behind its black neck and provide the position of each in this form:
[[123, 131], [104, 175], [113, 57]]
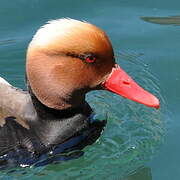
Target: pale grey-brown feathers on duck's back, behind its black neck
[[15, 102]]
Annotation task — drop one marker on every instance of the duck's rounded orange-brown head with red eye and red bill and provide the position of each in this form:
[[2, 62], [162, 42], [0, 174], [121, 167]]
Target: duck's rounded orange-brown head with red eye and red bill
[[68, 58]]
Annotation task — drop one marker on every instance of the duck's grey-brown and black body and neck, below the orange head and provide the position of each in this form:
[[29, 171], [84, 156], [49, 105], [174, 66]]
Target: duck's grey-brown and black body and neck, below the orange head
[[30, 129]]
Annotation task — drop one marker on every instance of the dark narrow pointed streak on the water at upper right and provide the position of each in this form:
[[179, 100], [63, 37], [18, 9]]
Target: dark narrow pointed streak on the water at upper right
[[171, 20]]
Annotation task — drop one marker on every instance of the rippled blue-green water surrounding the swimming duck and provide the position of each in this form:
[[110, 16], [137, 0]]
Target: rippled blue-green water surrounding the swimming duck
[[138, 143]]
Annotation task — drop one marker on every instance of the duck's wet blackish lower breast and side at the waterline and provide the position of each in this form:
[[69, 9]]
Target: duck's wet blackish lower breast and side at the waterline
[[23, 147]]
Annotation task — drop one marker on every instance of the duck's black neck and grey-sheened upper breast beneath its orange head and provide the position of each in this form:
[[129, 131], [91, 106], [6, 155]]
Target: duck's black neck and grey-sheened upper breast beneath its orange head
[[56, 126]]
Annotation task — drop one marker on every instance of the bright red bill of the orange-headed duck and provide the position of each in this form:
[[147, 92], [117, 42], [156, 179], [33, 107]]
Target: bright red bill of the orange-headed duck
[[121, 83]]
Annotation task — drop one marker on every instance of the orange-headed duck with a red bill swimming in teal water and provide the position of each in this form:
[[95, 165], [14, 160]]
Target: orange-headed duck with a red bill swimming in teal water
[[65, 60]]
